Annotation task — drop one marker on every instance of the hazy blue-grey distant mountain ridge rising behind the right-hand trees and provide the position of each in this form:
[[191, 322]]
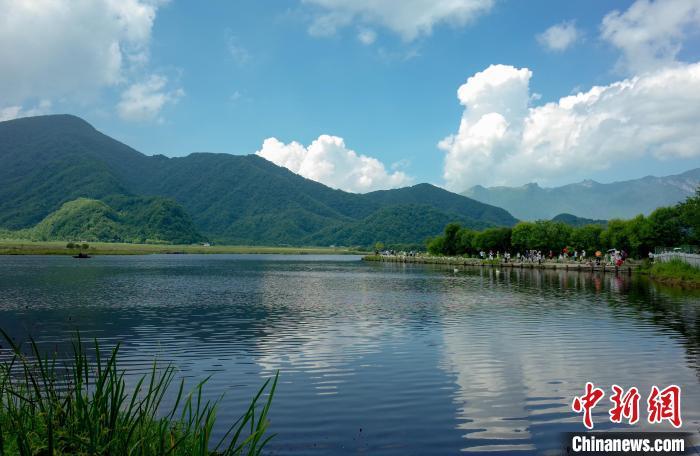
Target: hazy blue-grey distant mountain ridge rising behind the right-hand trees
[[590, 199]]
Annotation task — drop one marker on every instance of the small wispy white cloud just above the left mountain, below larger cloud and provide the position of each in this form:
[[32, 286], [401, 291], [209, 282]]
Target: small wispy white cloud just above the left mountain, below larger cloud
[[144, 100]]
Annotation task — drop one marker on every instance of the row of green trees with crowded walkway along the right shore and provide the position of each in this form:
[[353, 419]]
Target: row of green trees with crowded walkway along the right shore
[[619, 245]]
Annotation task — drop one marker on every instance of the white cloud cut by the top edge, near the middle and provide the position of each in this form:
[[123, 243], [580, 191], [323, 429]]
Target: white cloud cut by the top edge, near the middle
[[410, 19]]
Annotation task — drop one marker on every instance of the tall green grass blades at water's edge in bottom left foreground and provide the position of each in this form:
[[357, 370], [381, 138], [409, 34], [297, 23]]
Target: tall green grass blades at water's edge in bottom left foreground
[[84, 407]]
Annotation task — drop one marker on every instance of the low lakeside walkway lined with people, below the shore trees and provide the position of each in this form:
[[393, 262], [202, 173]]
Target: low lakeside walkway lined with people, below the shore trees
[[628, 267]]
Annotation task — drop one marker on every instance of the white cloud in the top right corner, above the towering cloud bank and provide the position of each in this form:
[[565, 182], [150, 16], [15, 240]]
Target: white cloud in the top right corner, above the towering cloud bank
[[650, 34]]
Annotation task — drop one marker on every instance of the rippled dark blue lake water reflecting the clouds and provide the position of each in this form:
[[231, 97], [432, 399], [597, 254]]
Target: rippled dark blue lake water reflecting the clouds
[[374, 358]]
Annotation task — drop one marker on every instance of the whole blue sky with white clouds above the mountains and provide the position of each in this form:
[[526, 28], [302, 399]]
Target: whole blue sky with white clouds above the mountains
[[223, 76]]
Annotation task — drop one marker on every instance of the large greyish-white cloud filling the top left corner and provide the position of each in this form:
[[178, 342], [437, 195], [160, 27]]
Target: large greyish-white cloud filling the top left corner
[[54, 48]]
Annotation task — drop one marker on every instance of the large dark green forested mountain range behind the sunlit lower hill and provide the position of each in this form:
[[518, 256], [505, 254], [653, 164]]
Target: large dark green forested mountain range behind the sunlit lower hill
[[48, 161]]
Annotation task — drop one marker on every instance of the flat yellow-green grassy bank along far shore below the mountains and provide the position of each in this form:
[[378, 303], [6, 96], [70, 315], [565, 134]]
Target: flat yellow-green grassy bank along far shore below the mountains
[[20, 247]]
